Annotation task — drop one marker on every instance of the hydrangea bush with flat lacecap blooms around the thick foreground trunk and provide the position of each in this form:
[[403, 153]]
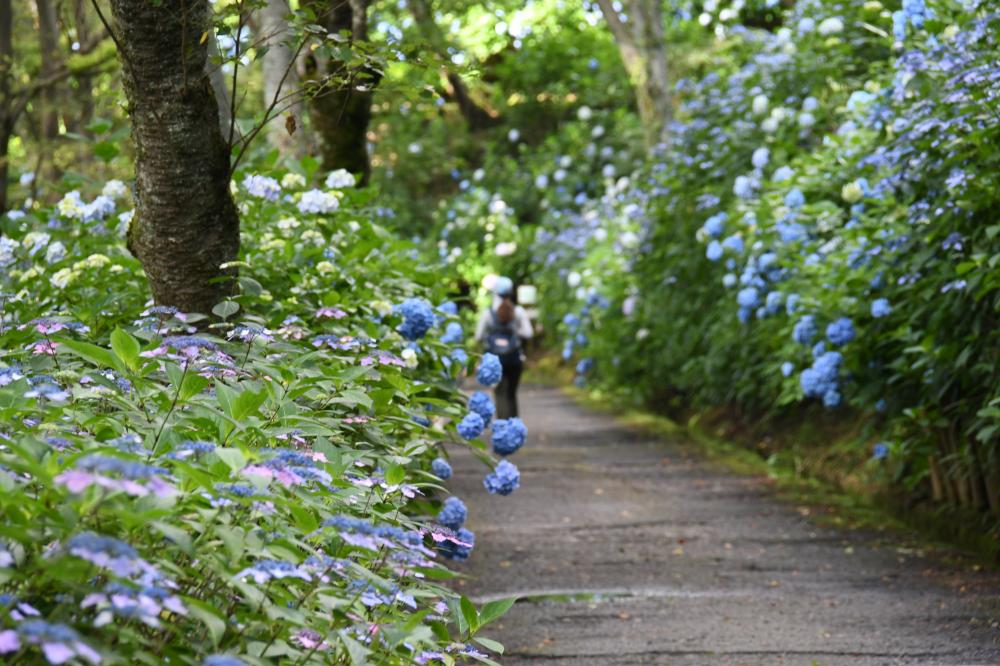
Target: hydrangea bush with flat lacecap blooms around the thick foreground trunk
[[251, 488]]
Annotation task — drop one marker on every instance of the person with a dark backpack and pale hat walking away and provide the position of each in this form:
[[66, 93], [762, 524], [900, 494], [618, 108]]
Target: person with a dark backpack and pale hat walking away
[[502, 330]]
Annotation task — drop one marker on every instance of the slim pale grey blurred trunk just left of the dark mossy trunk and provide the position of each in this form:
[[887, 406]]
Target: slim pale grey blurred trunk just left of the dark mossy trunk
[[281, 78]]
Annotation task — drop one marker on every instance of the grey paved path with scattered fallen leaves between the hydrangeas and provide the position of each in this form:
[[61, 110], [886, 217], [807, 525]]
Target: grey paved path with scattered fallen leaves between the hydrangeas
[[631, 550]]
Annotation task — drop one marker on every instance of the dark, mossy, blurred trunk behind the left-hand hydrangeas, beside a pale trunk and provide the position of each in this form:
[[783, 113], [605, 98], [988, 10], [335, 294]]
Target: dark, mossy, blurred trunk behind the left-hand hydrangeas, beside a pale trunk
[[341, 103]]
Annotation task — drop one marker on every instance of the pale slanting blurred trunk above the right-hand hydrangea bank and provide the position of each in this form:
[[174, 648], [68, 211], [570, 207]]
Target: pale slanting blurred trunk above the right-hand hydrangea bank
[[643, 50]]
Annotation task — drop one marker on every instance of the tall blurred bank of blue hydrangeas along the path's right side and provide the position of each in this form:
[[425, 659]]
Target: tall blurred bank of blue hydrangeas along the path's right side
[[816, 232]]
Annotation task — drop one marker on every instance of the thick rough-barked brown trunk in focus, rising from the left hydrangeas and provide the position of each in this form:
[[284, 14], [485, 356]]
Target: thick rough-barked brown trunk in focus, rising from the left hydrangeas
[[185, 224]]
